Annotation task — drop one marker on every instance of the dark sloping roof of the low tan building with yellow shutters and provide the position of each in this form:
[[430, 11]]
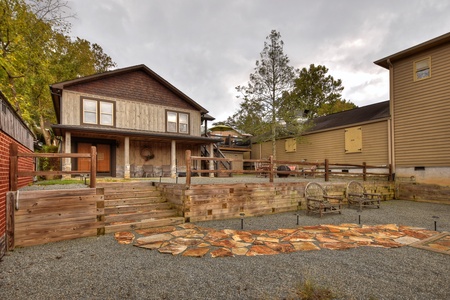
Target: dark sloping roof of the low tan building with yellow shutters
[[369, 113]]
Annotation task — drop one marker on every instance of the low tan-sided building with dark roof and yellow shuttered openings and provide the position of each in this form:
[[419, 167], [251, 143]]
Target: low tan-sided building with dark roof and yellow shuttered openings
[[353, 136]]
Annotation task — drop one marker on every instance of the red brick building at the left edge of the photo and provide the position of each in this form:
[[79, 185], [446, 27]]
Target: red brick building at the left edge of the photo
[[13, 130]]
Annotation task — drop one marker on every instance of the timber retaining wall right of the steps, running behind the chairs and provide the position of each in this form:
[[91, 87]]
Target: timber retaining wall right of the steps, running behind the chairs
[[204, 202]]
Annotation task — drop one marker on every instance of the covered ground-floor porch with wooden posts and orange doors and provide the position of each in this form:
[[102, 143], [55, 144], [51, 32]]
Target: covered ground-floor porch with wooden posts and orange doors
[[130, 153]]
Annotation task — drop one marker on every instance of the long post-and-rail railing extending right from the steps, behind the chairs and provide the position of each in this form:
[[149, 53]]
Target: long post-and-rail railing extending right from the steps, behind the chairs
[[316, 168]]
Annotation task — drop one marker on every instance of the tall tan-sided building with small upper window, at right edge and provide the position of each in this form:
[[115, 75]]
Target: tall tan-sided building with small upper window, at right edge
[[420, 109]]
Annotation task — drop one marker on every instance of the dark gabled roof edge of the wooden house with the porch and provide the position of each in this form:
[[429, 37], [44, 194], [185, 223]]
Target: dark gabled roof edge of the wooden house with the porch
[[56, 88]]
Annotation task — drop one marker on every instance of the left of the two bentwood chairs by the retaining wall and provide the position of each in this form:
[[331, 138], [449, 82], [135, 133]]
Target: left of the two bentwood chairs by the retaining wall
[[318, 201]]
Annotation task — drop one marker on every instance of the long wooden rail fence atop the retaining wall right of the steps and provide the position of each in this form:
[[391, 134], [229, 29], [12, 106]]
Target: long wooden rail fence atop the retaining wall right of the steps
[[268, 167]]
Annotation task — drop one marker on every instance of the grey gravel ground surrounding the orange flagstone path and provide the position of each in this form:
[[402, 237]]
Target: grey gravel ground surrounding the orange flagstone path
[[100, 268]]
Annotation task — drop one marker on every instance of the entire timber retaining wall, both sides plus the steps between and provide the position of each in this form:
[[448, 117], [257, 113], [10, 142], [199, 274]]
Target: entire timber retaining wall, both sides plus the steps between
[[54, 215]]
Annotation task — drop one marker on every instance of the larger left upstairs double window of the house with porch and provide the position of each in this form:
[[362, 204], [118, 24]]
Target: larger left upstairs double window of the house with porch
[[98, 112]]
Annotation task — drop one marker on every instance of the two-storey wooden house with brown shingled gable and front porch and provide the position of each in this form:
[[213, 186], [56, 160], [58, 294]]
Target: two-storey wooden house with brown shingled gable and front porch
[[140, 123]]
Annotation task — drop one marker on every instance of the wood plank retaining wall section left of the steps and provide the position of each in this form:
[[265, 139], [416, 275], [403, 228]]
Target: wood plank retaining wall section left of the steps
[[49, 216]]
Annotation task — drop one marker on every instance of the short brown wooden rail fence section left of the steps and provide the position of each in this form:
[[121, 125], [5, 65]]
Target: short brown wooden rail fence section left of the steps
[[15, 173]]
